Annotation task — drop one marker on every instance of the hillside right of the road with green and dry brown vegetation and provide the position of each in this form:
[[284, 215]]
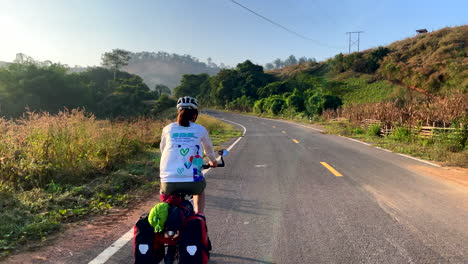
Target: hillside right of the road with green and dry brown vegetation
[[432, 64]]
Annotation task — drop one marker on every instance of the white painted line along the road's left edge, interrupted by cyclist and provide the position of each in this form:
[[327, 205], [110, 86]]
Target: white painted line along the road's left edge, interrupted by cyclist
[[119, 243]]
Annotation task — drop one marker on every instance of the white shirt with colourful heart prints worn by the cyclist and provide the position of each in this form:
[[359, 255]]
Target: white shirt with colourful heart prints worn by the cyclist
[[182, 152]]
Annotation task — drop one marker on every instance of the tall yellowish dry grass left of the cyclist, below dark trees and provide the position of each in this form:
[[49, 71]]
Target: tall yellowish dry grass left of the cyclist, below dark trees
[[69, 147]]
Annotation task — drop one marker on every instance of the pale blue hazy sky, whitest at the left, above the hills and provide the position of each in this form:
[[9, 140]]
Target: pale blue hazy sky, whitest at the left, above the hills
[[77, 32]]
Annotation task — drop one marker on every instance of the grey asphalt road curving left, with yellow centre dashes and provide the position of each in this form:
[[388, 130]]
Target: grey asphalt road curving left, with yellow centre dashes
[[276, 202]]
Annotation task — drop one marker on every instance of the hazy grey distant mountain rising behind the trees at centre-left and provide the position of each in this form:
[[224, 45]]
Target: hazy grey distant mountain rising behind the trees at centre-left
[[167, 69]]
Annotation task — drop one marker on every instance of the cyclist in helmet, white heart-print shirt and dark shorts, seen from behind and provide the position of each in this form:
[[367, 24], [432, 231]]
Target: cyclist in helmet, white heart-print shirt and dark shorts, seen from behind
[[182, 145]]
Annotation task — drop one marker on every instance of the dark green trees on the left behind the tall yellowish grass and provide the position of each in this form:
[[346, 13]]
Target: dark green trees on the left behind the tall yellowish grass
[[49, 87]]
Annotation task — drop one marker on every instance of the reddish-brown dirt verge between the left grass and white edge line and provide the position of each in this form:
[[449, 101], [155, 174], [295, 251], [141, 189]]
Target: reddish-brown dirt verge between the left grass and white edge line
[[80, 242]]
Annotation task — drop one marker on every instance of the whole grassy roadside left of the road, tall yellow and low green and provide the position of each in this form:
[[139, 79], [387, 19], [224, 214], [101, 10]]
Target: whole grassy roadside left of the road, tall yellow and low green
[[60, 169]]
